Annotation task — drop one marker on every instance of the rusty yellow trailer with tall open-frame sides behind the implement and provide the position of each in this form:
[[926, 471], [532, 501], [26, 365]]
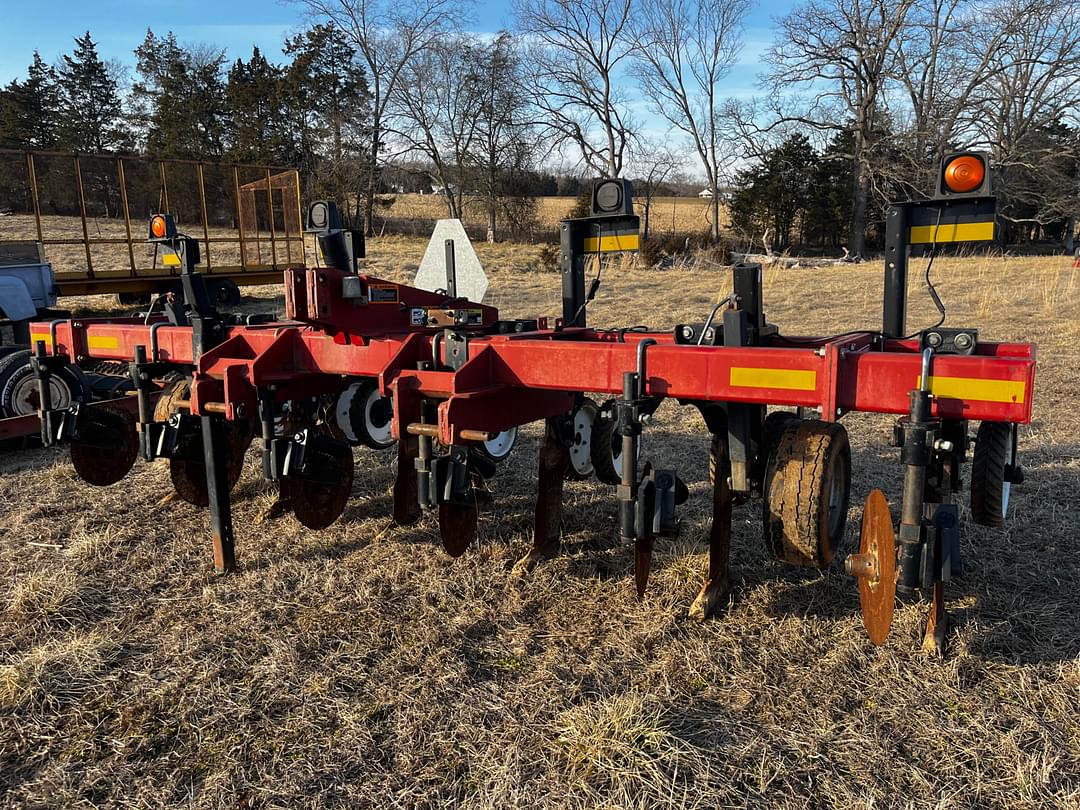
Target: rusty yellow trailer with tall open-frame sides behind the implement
[[82, 210]]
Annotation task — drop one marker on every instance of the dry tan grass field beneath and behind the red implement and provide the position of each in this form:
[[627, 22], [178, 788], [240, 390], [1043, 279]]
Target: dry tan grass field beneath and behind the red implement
[[360, 667]]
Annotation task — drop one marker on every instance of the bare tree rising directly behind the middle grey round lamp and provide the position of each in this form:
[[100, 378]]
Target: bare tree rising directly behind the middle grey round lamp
[[579, 47]]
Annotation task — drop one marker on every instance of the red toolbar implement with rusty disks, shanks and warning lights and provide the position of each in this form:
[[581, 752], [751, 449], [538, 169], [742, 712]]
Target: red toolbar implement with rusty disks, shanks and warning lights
[[362, 361]]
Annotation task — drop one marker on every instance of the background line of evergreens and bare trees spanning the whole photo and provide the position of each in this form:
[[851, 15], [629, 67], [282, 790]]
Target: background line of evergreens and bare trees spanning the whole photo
[[859, 102]]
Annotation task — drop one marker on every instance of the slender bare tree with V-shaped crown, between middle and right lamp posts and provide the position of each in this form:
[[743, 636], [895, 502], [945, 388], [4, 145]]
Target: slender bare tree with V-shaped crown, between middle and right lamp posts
[[685, 49]]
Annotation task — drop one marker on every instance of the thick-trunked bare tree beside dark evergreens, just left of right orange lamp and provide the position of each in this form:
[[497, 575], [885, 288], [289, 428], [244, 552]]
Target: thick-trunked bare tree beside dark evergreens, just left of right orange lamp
[[842, 53]]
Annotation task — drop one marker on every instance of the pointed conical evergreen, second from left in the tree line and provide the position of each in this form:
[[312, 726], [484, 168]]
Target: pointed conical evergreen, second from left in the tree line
[[92, 113]]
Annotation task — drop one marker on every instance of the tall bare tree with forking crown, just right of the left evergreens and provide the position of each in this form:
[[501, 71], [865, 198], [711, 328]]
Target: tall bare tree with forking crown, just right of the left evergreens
[[388, 35]]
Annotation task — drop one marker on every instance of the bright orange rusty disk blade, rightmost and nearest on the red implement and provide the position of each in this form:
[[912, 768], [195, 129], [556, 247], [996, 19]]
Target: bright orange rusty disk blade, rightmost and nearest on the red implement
[[877, 589]]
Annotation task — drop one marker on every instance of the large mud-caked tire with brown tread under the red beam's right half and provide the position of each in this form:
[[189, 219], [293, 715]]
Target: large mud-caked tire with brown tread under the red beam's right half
[[804, 515]]
